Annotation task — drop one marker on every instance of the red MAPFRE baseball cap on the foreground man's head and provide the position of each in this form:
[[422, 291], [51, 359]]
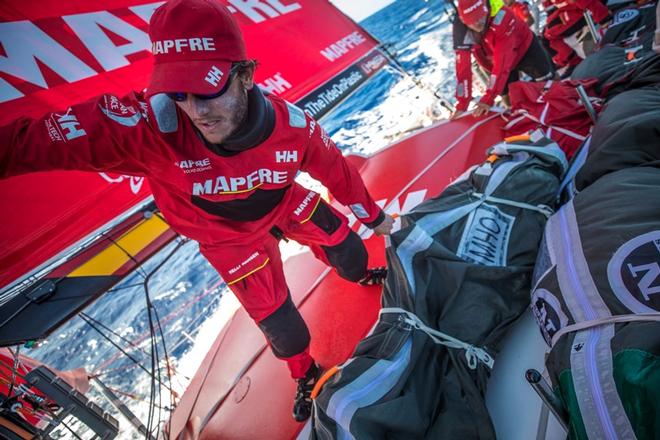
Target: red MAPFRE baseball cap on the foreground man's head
[[194, 43]]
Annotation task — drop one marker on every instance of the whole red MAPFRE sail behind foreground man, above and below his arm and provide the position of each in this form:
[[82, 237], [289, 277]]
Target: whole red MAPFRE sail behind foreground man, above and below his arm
[[107, 51]]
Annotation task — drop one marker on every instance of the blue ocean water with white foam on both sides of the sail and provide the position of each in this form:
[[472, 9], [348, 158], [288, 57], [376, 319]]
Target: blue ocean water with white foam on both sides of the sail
[[189, 297]]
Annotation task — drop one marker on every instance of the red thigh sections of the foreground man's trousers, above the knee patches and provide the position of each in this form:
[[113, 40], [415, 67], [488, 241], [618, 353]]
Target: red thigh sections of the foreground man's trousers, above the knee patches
[[253, 270]]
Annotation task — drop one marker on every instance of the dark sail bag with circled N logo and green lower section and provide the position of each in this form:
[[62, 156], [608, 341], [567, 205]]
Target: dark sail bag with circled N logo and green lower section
[[596, 298]]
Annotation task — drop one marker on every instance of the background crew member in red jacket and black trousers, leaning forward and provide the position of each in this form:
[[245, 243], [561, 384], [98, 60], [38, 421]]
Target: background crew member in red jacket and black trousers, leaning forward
[[502, 44]]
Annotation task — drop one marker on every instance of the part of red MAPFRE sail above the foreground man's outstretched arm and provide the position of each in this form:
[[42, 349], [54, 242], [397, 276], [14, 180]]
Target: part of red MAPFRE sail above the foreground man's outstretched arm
[[272, 34]]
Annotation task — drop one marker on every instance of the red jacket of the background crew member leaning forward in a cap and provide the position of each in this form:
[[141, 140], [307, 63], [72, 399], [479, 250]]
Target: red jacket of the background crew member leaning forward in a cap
[[498, 50]]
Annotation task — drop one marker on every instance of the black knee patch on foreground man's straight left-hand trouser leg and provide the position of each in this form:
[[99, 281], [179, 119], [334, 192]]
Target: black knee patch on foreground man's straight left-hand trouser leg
[[286, 330]]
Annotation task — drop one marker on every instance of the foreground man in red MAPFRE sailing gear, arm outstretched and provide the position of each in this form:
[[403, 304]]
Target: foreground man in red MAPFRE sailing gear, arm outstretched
[[221, 159]]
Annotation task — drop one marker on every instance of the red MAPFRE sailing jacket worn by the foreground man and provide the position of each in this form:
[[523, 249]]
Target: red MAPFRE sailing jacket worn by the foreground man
[[211, 197]]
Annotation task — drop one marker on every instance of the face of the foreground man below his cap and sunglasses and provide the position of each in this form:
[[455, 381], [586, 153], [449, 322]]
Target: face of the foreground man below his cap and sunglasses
[[220, 117]]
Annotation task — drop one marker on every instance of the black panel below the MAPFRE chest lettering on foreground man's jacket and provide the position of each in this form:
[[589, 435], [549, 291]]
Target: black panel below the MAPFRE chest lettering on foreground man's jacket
[[257, 205]]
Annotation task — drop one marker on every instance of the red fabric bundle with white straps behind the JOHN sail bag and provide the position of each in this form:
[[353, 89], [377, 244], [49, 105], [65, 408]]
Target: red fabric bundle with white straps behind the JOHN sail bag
[[562, 108]]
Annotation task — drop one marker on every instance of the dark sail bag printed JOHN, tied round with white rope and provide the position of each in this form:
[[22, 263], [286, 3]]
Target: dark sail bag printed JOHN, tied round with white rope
[[459, 274]]
